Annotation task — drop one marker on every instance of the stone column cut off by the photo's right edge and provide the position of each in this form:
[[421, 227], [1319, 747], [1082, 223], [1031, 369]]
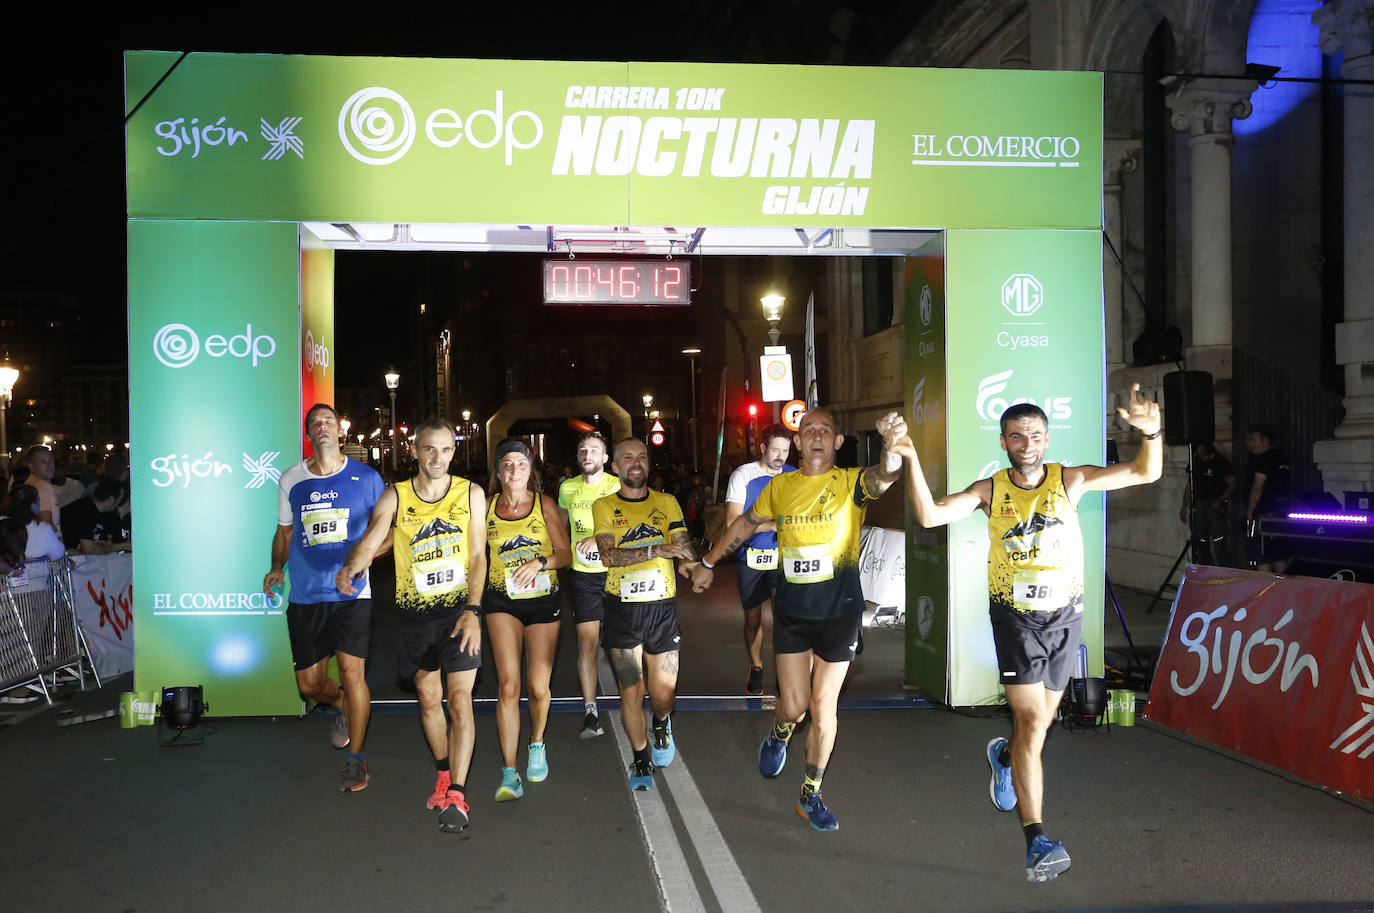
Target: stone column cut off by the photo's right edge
[[1347, 463]]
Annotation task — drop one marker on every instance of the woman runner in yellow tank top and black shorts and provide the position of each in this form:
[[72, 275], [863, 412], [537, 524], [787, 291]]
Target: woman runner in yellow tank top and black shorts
[[521, 604]]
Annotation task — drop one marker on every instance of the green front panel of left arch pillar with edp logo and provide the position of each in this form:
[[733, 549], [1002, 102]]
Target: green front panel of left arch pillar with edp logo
[[214, 329]]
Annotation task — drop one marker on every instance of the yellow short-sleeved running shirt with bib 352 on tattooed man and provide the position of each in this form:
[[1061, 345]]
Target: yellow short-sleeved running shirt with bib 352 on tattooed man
[[638, 525]]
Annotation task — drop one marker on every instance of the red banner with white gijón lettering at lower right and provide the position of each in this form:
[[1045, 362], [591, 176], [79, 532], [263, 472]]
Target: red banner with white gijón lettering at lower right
[[1279, 669]]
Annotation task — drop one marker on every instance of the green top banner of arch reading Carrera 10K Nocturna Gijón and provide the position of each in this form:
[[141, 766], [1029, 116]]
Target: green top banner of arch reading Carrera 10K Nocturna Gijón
[[387, 140]]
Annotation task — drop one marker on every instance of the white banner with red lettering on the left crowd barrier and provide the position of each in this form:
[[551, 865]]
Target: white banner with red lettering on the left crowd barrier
[[102, 592]]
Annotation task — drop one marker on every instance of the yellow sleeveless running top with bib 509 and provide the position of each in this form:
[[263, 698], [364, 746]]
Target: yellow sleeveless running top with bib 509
[[432, 548]]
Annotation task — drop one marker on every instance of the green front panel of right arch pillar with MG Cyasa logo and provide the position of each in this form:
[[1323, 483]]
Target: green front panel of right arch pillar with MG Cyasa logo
[[1024, 325]]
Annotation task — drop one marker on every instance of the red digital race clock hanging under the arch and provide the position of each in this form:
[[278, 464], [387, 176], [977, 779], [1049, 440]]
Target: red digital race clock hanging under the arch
[[609, 283]]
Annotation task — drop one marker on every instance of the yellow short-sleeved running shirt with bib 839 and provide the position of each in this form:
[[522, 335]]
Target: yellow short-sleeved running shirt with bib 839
[[820, 520]]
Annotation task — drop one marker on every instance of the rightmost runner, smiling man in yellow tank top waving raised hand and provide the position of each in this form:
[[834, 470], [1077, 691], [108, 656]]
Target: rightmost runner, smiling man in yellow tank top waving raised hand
[[1035, 589]]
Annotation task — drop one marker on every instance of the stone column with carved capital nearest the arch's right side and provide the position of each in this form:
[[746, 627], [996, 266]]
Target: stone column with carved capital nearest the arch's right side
[[1206, 109]]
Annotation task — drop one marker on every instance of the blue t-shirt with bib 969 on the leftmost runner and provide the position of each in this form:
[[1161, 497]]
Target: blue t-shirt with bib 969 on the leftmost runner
[[328, 516]]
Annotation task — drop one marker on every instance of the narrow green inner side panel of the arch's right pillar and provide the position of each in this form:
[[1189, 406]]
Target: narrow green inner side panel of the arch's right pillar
[[928, 553]]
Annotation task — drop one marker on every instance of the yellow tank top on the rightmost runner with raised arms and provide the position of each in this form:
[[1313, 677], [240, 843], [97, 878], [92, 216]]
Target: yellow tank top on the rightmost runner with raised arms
[[1035, 559]]
